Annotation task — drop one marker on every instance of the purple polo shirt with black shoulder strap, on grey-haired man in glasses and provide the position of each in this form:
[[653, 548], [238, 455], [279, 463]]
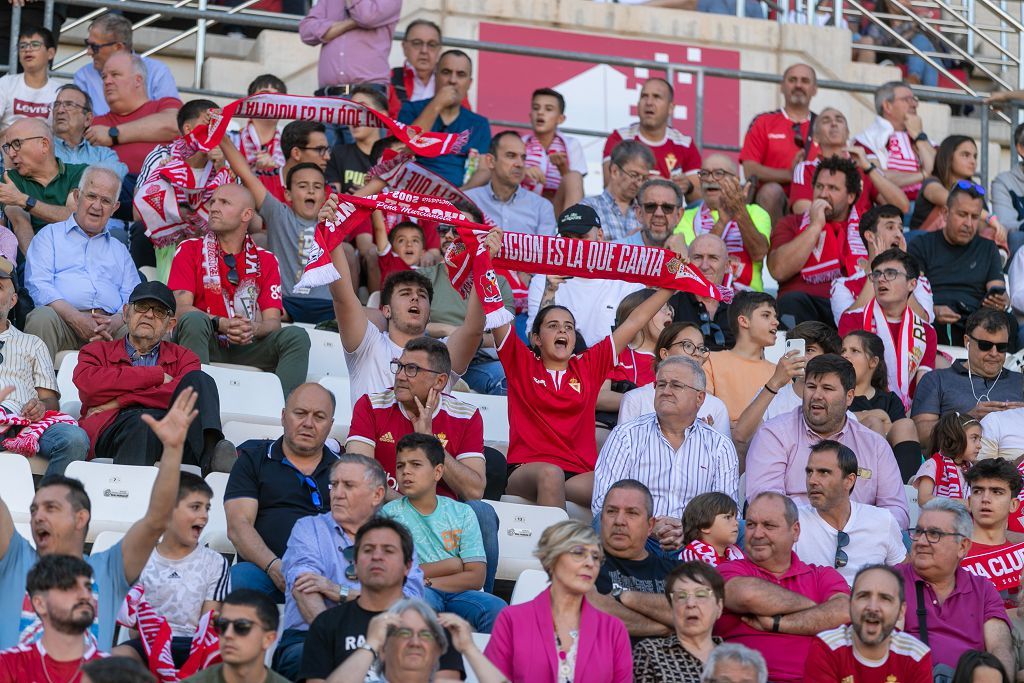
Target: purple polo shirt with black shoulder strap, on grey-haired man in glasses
[[959, 623]]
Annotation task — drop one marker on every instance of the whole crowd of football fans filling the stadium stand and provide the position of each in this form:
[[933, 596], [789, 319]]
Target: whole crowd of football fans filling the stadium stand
[[847, 514]]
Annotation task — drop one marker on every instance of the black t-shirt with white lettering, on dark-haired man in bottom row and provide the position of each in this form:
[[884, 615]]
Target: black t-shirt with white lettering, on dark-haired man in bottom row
[[338, 632]]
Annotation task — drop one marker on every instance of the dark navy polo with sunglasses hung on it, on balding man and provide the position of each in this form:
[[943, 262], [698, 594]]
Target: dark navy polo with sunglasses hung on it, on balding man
[[284, 498]]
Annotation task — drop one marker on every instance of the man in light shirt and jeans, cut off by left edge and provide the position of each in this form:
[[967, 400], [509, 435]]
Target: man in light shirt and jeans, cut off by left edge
[[26, 365]]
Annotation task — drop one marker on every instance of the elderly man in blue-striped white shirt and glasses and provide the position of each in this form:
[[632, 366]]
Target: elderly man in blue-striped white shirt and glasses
[[674, 454]]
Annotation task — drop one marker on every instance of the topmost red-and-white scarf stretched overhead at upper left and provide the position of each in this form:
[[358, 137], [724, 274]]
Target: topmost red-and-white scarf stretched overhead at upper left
[[326, 110]]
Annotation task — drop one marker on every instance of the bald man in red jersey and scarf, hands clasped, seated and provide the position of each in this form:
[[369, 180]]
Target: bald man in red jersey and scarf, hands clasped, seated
[[229, 295]]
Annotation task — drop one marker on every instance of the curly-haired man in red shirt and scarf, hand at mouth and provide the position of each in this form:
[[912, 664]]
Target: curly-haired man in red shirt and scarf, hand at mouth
[[809, 251]]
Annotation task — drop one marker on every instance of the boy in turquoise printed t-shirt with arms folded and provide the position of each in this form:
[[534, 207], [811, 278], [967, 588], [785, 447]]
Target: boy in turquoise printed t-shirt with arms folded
[[446, 533]]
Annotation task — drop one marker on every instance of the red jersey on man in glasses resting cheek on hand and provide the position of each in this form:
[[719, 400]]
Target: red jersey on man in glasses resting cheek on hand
[[380, 421]]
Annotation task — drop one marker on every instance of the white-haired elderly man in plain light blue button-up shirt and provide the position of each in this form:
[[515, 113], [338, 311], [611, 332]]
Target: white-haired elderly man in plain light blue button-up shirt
[[79, 276]]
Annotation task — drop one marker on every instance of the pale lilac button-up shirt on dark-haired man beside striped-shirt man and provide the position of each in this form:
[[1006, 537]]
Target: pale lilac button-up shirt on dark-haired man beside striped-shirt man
[[779, 454]]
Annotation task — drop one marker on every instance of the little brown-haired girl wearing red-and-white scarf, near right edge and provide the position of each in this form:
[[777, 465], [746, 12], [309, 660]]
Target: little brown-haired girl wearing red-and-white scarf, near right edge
[[956, 444]]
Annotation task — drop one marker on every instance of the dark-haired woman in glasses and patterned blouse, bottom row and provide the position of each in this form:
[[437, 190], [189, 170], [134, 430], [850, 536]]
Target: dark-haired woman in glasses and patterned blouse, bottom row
[[697, 594]]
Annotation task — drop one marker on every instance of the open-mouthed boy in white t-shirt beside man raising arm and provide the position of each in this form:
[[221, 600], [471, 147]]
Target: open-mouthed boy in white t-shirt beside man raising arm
[[183, 580]]
